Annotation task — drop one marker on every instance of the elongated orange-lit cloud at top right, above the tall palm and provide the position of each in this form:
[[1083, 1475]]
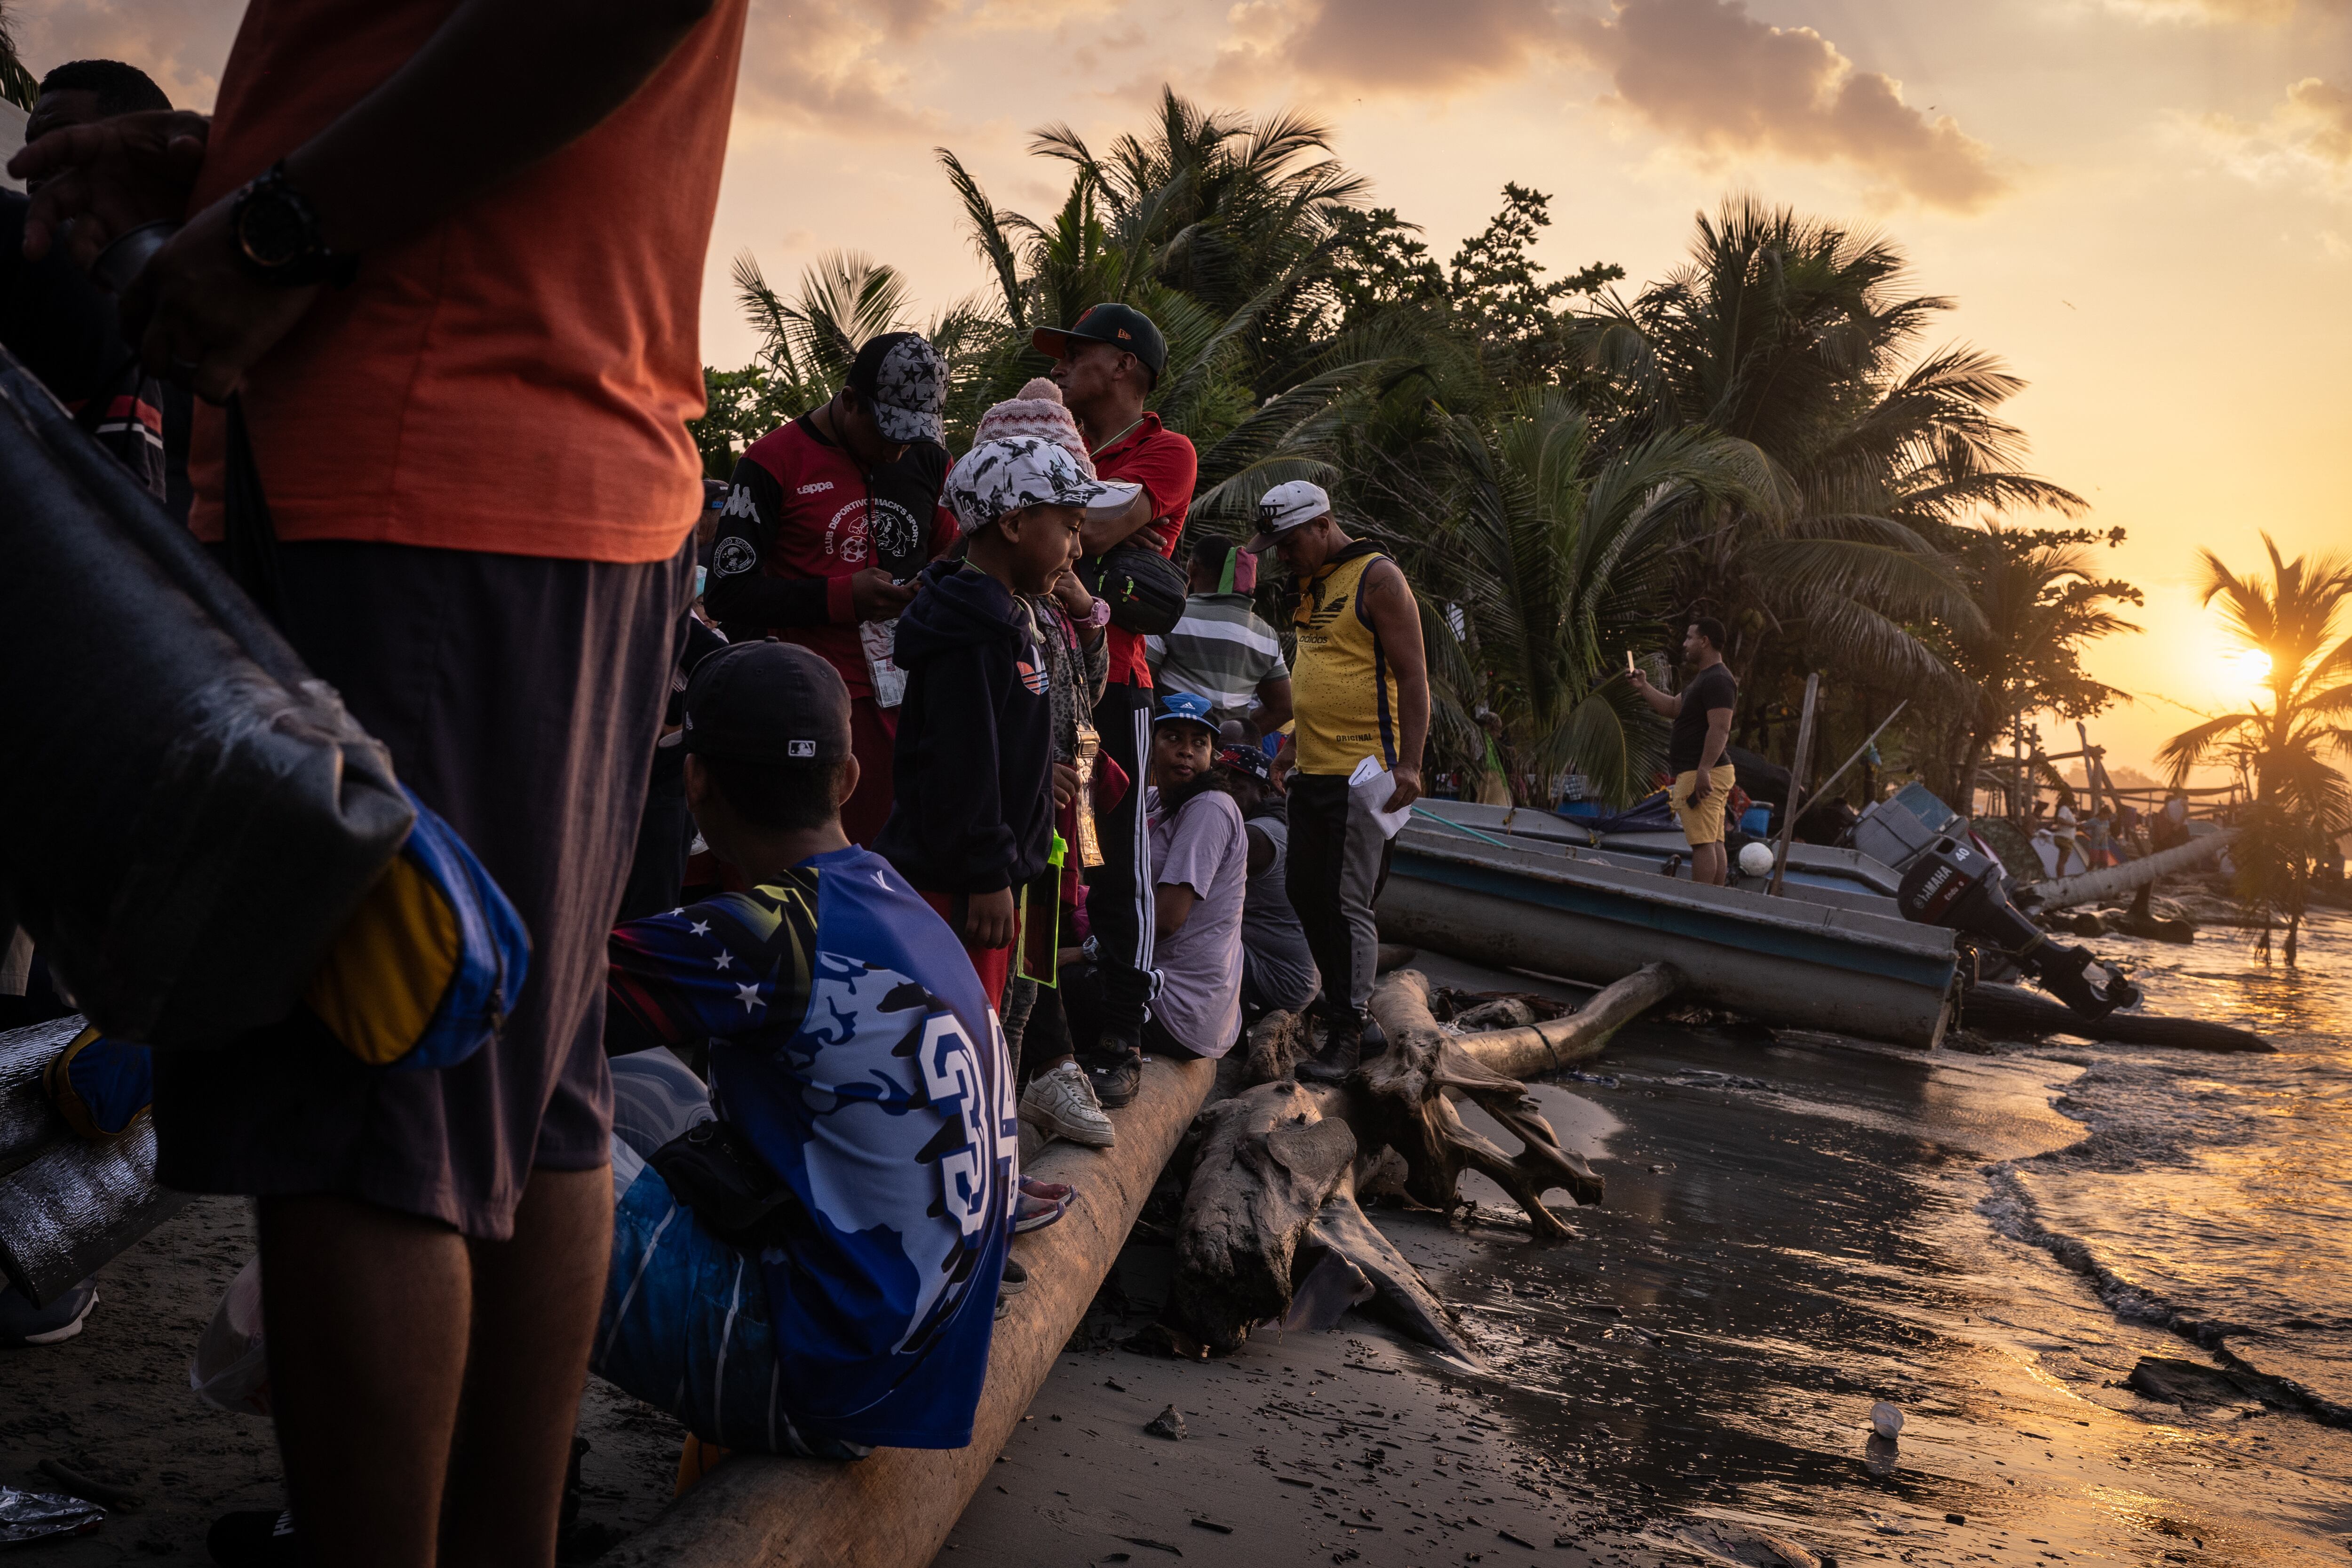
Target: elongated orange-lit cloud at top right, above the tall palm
[[1713, 76]]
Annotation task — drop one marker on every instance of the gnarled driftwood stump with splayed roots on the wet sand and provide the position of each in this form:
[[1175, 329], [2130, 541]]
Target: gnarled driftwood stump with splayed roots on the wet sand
[[1276, 1170]]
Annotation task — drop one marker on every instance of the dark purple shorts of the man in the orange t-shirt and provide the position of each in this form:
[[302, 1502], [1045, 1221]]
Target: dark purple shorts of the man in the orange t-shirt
[[521, 699]]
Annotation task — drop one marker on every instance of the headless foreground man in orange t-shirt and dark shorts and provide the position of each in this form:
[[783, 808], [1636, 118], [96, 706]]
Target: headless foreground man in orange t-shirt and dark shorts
[[450, 262]]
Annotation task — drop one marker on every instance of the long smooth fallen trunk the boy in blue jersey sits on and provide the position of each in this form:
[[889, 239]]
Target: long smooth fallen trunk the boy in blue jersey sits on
[[897, 1508]]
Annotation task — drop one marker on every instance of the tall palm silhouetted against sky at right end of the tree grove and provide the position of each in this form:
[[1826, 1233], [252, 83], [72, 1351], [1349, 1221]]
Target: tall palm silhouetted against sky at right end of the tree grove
[[1798, 337]]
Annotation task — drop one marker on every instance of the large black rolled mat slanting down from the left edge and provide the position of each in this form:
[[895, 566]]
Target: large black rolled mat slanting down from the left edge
[[196, 815]]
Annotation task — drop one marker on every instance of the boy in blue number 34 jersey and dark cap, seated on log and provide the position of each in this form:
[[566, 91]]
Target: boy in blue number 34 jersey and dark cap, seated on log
[[853, 1047]]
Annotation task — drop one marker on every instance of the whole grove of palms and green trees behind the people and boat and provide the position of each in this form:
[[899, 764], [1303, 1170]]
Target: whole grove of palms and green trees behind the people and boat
[[1565, 464]]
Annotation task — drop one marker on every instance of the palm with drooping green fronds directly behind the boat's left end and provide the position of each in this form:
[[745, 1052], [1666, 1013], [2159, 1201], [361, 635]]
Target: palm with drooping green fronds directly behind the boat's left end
[[1553, 551]]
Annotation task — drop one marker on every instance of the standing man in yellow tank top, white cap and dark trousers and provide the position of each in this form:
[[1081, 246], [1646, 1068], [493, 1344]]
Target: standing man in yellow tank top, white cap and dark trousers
[[1361, 688]]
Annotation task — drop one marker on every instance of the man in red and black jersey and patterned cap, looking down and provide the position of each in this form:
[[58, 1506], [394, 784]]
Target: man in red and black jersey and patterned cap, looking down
[[827, 525]]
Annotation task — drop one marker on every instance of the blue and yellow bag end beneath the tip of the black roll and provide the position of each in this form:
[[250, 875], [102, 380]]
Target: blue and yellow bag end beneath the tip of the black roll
[[432, 963]]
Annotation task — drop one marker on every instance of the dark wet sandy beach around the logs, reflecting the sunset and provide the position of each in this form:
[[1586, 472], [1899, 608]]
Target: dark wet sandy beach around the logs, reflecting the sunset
[[1796, 1228]]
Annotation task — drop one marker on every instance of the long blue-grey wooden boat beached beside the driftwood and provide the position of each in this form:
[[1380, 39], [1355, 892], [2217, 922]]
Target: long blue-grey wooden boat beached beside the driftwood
[[1589, 916]]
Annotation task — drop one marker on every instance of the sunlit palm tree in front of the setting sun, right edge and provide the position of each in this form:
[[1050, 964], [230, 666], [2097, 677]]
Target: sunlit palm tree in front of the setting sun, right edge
[[2301, 800]]
